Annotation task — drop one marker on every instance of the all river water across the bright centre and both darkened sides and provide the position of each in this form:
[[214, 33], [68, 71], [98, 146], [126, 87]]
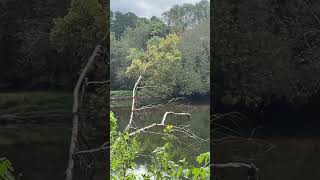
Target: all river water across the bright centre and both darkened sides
[[41, 153]]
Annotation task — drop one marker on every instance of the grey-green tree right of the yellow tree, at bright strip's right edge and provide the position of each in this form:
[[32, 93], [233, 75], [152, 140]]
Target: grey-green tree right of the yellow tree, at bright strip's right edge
[[195, 51]]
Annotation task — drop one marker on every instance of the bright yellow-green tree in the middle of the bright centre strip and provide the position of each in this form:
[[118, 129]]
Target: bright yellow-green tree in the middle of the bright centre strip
[[160, 64]]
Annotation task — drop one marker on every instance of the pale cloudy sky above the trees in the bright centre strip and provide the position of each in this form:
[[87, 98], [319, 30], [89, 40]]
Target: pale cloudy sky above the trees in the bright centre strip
[[146, 8]]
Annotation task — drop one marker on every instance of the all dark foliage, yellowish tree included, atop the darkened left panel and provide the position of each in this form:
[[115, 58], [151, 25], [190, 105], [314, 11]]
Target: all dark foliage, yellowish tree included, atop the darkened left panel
[[42, 43]]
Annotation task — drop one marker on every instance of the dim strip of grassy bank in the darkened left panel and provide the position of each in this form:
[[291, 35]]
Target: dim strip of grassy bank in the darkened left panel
[[35, 101]]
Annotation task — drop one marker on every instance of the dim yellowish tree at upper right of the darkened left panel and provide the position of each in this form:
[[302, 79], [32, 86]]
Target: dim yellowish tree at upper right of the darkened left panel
[[85, 25]]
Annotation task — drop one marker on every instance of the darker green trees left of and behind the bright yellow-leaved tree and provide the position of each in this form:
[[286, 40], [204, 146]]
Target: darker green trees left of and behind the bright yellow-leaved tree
[[134, 37]]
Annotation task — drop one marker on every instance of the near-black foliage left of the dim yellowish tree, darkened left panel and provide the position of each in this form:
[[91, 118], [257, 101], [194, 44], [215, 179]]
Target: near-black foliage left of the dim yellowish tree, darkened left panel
[[27, 61]]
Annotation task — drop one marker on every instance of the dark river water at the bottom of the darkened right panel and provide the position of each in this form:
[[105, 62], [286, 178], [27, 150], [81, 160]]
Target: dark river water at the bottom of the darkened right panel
[[291, 158]]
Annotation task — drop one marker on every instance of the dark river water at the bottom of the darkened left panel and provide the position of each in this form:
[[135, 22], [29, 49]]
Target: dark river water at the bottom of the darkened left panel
[[39, 153]]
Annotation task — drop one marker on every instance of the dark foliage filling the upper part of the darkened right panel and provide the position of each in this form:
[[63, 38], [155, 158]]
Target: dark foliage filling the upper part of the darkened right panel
[[265, 51]]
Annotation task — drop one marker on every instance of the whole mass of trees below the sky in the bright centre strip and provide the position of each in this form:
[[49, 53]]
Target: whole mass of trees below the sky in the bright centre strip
[[172, 51]]
